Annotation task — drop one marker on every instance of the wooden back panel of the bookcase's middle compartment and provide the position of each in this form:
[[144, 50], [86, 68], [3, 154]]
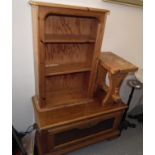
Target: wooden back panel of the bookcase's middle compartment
[[58, 54]]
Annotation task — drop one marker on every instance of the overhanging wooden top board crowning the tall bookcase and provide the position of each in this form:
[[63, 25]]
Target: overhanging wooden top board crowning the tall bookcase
[[38, 3]]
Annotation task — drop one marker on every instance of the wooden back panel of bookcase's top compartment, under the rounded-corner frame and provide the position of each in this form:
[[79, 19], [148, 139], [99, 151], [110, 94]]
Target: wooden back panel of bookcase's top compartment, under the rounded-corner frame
[[62, 25]]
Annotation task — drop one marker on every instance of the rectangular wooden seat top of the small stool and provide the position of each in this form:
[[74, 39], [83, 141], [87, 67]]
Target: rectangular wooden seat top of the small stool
[[114, 63]]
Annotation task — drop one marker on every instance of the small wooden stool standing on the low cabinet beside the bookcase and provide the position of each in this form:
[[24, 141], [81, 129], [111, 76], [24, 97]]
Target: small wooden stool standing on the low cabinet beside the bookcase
[[117, 69]]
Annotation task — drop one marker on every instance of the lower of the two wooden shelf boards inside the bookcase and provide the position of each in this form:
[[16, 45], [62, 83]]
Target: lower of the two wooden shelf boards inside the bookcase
[[65, 69]]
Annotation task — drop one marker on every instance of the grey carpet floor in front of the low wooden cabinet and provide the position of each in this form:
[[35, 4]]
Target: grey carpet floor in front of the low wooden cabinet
[[129, 143]]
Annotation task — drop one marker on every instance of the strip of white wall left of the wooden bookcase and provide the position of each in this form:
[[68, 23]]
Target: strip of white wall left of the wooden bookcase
[[23, 72]]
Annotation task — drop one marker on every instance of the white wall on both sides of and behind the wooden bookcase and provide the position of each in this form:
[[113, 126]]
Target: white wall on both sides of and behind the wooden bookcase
[[123, 35]]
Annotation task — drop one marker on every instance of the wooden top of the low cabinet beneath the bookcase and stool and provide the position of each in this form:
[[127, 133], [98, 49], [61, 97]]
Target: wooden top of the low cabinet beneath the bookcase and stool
[[63, 116]]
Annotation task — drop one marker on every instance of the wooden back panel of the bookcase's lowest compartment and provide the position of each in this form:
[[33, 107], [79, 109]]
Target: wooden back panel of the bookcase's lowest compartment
[[68, 82]]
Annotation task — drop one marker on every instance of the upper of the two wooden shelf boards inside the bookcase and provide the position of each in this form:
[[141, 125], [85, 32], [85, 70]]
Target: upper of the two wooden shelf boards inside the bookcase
[[68, 38]]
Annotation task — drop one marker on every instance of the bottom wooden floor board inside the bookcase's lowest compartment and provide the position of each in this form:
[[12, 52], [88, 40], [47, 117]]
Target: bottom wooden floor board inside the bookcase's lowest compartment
[[65, 98]]
